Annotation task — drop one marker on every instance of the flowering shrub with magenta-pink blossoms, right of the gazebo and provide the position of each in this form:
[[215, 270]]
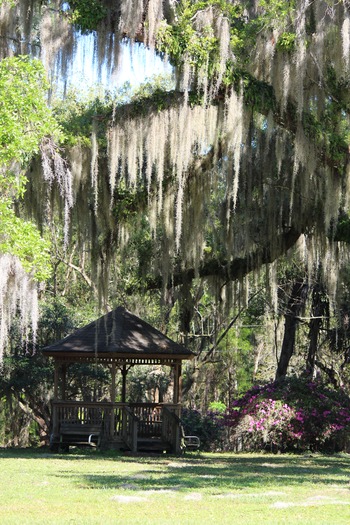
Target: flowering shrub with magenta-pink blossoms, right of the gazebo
[[296, 414]]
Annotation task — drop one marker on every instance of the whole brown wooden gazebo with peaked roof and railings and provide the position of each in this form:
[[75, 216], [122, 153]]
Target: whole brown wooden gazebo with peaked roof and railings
[[118, 340]]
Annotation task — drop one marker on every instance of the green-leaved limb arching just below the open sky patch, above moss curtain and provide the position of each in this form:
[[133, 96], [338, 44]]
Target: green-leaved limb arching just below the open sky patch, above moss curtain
[[258, 96]]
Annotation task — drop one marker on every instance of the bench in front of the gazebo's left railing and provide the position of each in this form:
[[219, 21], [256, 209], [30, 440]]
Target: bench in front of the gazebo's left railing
[[80, 434]]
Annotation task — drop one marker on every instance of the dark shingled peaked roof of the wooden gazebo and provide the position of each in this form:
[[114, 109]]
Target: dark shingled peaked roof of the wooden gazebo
[[118, 333]]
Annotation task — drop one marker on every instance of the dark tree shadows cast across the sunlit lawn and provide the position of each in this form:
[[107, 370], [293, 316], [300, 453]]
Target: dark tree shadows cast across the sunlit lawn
[[215, 472]]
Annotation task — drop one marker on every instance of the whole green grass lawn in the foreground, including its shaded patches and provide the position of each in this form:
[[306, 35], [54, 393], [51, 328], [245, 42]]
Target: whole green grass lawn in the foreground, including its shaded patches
[[37, 487]]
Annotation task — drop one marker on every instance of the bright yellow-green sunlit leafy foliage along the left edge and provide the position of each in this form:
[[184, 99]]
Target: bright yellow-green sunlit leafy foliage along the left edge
[[24, 120]]
